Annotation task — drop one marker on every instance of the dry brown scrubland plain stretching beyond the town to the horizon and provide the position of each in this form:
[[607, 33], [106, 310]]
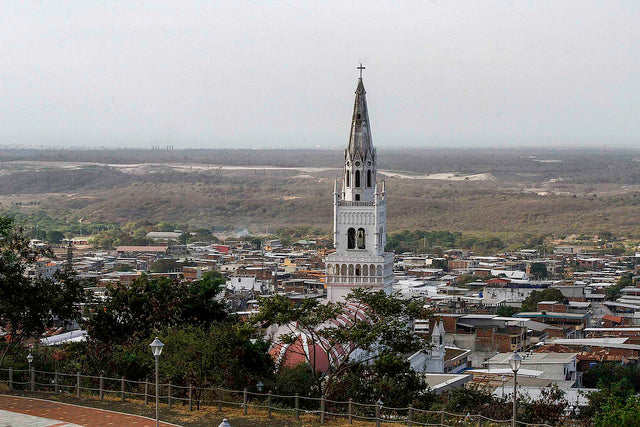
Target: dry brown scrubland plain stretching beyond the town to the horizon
[[557, 191]]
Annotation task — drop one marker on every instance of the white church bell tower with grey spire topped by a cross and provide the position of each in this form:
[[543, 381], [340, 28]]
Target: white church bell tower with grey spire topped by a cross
[[359, 214]]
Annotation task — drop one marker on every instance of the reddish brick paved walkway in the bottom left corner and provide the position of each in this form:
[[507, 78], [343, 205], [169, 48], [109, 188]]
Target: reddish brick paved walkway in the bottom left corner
[[61, 414]]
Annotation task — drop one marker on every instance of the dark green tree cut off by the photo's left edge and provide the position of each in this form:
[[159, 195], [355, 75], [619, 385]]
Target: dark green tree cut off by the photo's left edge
[[29, 305]]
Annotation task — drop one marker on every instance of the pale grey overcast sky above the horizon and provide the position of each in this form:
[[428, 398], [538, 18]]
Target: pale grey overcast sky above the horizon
[[282, 74]]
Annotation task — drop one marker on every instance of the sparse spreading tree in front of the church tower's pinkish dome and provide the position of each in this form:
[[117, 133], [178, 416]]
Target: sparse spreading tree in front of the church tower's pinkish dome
[[381, 323]]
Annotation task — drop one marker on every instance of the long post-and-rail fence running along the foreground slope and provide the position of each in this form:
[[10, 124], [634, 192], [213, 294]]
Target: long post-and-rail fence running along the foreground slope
[[198, 397]]
